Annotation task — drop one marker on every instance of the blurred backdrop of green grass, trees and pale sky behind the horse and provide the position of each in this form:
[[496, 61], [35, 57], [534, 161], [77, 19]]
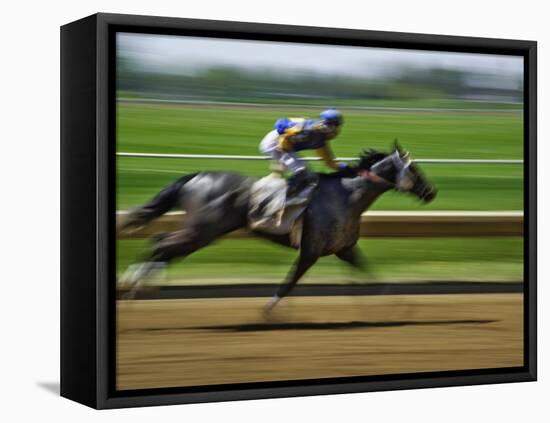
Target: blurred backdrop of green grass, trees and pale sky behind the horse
[[198, 95]]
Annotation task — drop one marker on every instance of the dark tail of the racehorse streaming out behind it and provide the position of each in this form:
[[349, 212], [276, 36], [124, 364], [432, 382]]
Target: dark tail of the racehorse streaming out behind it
[[161, 203]]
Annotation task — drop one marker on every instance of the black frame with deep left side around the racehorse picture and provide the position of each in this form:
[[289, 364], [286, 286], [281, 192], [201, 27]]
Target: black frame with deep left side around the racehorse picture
[[88, 207]]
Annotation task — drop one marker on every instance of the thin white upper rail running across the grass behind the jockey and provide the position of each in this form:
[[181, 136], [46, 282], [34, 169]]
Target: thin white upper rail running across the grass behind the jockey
[[242, 157]]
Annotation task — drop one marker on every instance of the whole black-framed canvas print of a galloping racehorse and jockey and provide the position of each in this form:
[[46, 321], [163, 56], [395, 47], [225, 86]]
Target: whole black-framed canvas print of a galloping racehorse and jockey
[[257, 211]]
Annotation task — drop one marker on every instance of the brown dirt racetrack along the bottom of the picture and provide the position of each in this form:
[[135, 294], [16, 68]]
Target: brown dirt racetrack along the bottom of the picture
[[187, 342]]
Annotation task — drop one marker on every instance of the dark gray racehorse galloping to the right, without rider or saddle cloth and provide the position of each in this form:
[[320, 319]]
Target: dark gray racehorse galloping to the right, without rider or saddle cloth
[[217, 203]]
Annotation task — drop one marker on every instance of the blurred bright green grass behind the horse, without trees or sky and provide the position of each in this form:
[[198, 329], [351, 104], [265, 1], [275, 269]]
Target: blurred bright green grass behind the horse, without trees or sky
[[233, 129]]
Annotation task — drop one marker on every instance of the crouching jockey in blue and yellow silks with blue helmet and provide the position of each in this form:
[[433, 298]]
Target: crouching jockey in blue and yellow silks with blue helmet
[[296, 134]]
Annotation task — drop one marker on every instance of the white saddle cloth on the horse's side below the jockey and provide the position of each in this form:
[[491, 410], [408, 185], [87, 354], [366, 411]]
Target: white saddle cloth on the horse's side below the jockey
[[270, 211]]
